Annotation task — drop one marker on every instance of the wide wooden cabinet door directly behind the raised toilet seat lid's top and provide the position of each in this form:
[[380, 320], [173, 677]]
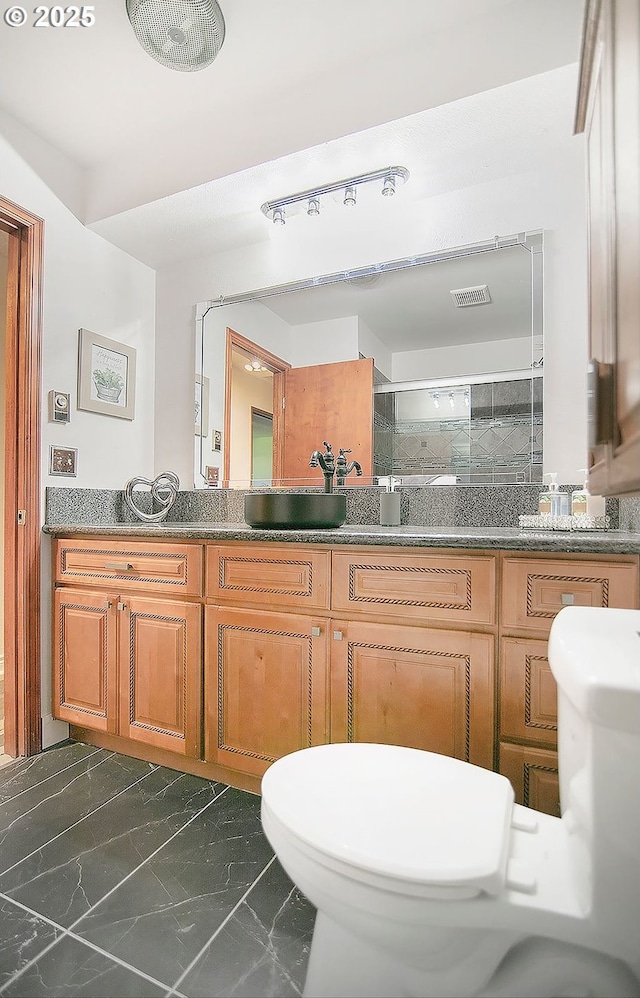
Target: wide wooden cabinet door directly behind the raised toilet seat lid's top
[[426, 689]]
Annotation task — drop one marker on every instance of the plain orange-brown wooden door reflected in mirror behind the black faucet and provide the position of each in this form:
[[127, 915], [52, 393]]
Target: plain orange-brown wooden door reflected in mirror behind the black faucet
[[332, 402]]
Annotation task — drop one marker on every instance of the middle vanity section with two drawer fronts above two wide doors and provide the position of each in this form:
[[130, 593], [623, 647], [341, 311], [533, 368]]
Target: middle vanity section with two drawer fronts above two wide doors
[[360, 664]]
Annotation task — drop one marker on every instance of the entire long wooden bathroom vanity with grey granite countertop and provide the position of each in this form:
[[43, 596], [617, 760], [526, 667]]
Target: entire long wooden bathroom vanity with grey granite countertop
[[217, 649]]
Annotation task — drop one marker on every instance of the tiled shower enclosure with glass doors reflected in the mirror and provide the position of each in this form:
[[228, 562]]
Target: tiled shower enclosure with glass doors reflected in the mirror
[[489, 431]]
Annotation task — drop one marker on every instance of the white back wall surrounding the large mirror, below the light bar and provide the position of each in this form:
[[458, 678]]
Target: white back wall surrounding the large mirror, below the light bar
[[551, 198]]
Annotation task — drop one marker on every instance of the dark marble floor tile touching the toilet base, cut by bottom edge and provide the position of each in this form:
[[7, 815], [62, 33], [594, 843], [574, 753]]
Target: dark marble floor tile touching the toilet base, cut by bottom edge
[[264, 947]]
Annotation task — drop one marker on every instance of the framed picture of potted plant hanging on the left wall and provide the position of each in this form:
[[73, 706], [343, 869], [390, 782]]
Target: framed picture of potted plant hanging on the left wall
[[106, 375]]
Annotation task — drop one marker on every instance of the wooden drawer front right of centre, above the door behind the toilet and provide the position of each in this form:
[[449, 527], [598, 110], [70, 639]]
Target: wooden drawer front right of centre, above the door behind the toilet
[[447, 588]]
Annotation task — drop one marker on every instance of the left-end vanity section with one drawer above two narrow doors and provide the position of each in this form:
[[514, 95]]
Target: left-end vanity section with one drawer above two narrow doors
[[125, 663]]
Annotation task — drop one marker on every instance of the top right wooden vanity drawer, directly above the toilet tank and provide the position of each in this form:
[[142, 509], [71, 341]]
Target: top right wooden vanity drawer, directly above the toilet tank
[[535, 590]]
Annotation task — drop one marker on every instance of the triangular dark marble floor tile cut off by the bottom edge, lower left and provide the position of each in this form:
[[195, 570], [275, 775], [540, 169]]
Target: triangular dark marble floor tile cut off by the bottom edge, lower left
[[71, 969]]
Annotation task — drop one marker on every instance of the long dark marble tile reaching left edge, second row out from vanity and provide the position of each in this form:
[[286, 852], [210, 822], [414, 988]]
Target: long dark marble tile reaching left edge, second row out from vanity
[[69, 875]]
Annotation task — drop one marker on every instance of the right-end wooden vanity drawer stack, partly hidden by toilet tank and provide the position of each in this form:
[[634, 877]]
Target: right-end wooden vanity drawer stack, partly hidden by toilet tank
[[534, 589]]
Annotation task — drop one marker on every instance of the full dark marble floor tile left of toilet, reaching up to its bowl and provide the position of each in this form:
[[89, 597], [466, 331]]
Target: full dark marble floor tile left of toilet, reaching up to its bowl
[[160, 919]]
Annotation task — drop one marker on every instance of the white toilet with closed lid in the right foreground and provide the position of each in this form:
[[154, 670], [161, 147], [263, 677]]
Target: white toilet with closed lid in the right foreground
[[430, 881]]
